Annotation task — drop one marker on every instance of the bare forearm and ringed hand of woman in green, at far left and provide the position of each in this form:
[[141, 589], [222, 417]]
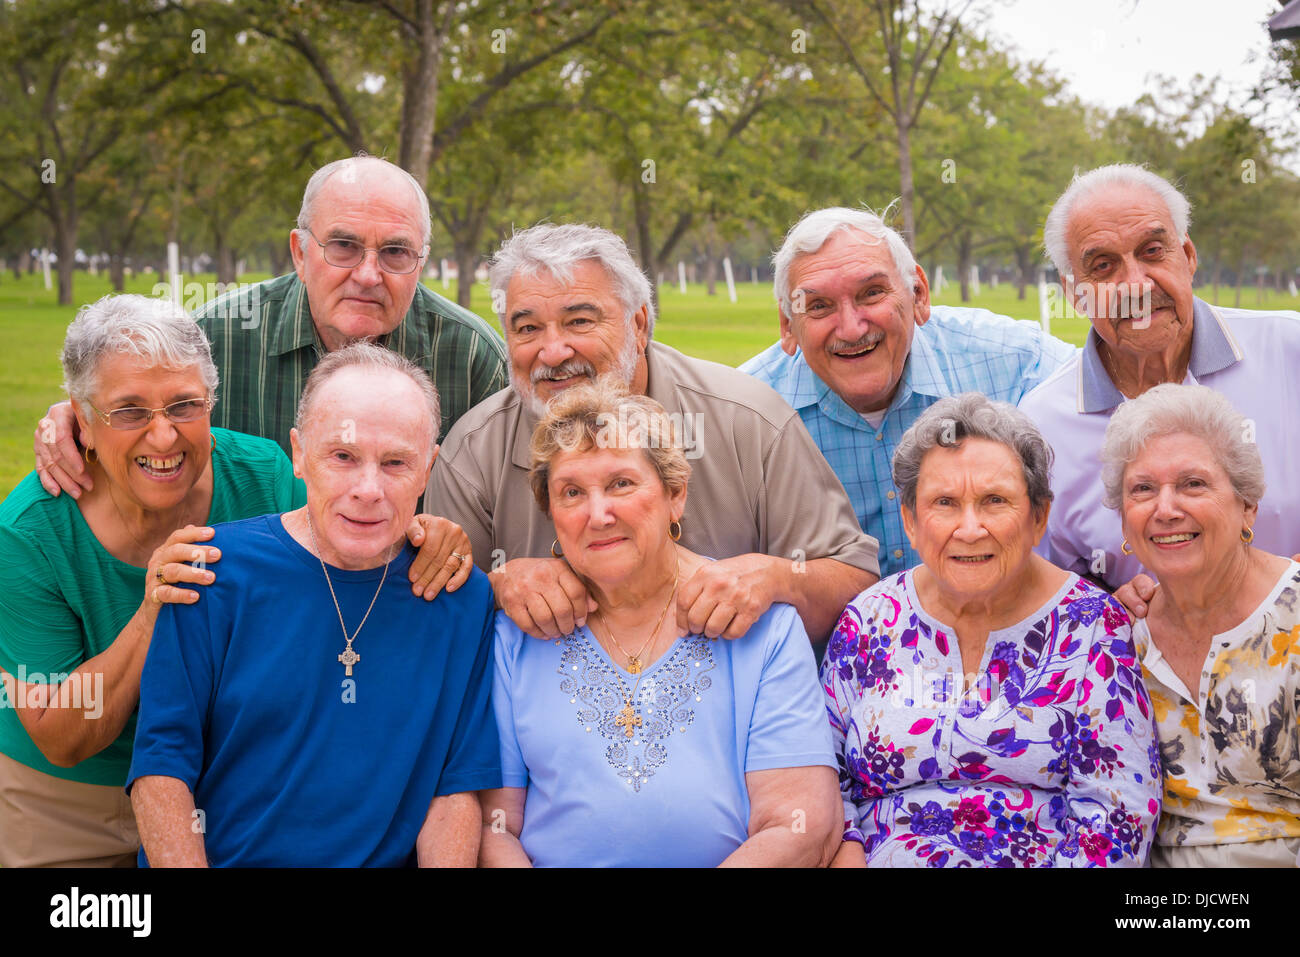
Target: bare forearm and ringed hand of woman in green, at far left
[[107, 687]]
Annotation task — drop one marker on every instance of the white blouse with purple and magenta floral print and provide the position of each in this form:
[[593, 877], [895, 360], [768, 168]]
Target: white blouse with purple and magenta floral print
[[1045, 757]]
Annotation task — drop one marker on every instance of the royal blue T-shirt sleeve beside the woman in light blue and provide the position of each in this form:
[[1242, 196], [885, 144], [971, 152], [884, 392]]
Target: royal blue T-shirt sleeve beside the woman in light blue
[[474, 761]]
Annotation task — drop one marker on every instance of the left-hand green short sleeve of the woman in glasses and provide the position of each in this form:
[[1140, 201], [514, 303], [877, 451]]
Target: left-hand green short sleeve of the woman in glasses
[[38, 630]]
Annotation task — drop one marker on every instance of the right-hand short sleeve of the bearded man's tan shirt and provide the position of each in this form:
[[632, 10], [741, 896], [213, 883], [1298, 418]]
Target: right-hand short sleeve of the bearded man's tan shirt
[[807, 510]]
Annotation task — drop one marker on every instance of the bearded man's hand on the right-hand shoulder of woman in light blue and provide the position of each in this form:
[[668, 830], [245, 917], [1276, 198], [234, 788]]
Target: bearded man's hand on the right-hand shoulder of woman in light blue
[[725, 599]]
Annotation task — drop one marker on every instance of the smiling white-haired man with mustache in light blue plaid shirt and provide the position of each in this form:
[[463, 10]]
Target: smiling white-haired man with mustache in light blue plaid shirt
[[863, 354]]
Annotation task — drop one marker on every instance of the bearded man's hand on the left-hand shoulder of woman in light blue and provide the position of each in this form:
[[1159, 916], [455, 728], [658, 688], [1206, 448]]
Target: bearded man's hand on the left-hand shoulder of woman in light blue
[[543, 596]]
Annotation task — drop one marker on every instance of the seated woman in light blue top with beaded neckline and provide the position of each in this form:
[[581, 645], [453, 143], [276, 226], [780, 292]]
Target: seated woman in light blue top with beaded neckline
[[625, 744]]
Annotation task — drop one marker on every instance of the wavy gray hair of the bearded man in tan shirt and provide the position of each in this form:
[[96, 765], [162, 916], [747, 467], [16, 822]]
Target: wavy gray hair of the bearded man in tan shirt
[[558, 250]]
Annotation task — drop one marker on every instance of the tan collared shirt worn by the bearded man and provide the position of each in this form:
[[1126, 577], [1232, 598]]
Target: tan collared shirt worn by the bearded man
[[757, 484]]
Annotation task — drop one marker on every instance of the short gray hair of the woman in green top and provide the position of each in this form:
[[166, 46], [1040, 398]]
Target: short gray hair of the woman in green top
[[157, 331]]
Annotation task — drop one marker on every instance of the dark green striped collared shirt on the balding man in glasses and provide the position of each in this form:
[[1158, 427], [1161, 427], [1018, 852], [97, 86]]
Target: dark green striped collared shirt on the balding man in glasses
[[266, 345]]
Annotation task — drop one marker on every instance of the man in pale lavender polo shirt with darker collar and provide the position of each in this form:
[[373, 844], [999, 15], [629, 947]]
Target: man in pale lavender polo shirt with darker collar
[[1119, 236]]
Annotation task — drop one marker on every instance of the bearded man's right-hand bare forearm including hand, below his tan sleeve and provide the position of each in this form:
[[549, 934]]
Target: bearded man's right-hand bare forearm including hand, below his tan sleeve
[[725, 599]]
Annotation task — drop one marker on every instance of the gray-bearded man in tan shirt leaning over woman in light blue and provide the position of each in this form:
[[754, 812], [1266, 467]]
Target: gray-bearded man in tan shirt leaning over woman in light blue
[[764, 501]]
